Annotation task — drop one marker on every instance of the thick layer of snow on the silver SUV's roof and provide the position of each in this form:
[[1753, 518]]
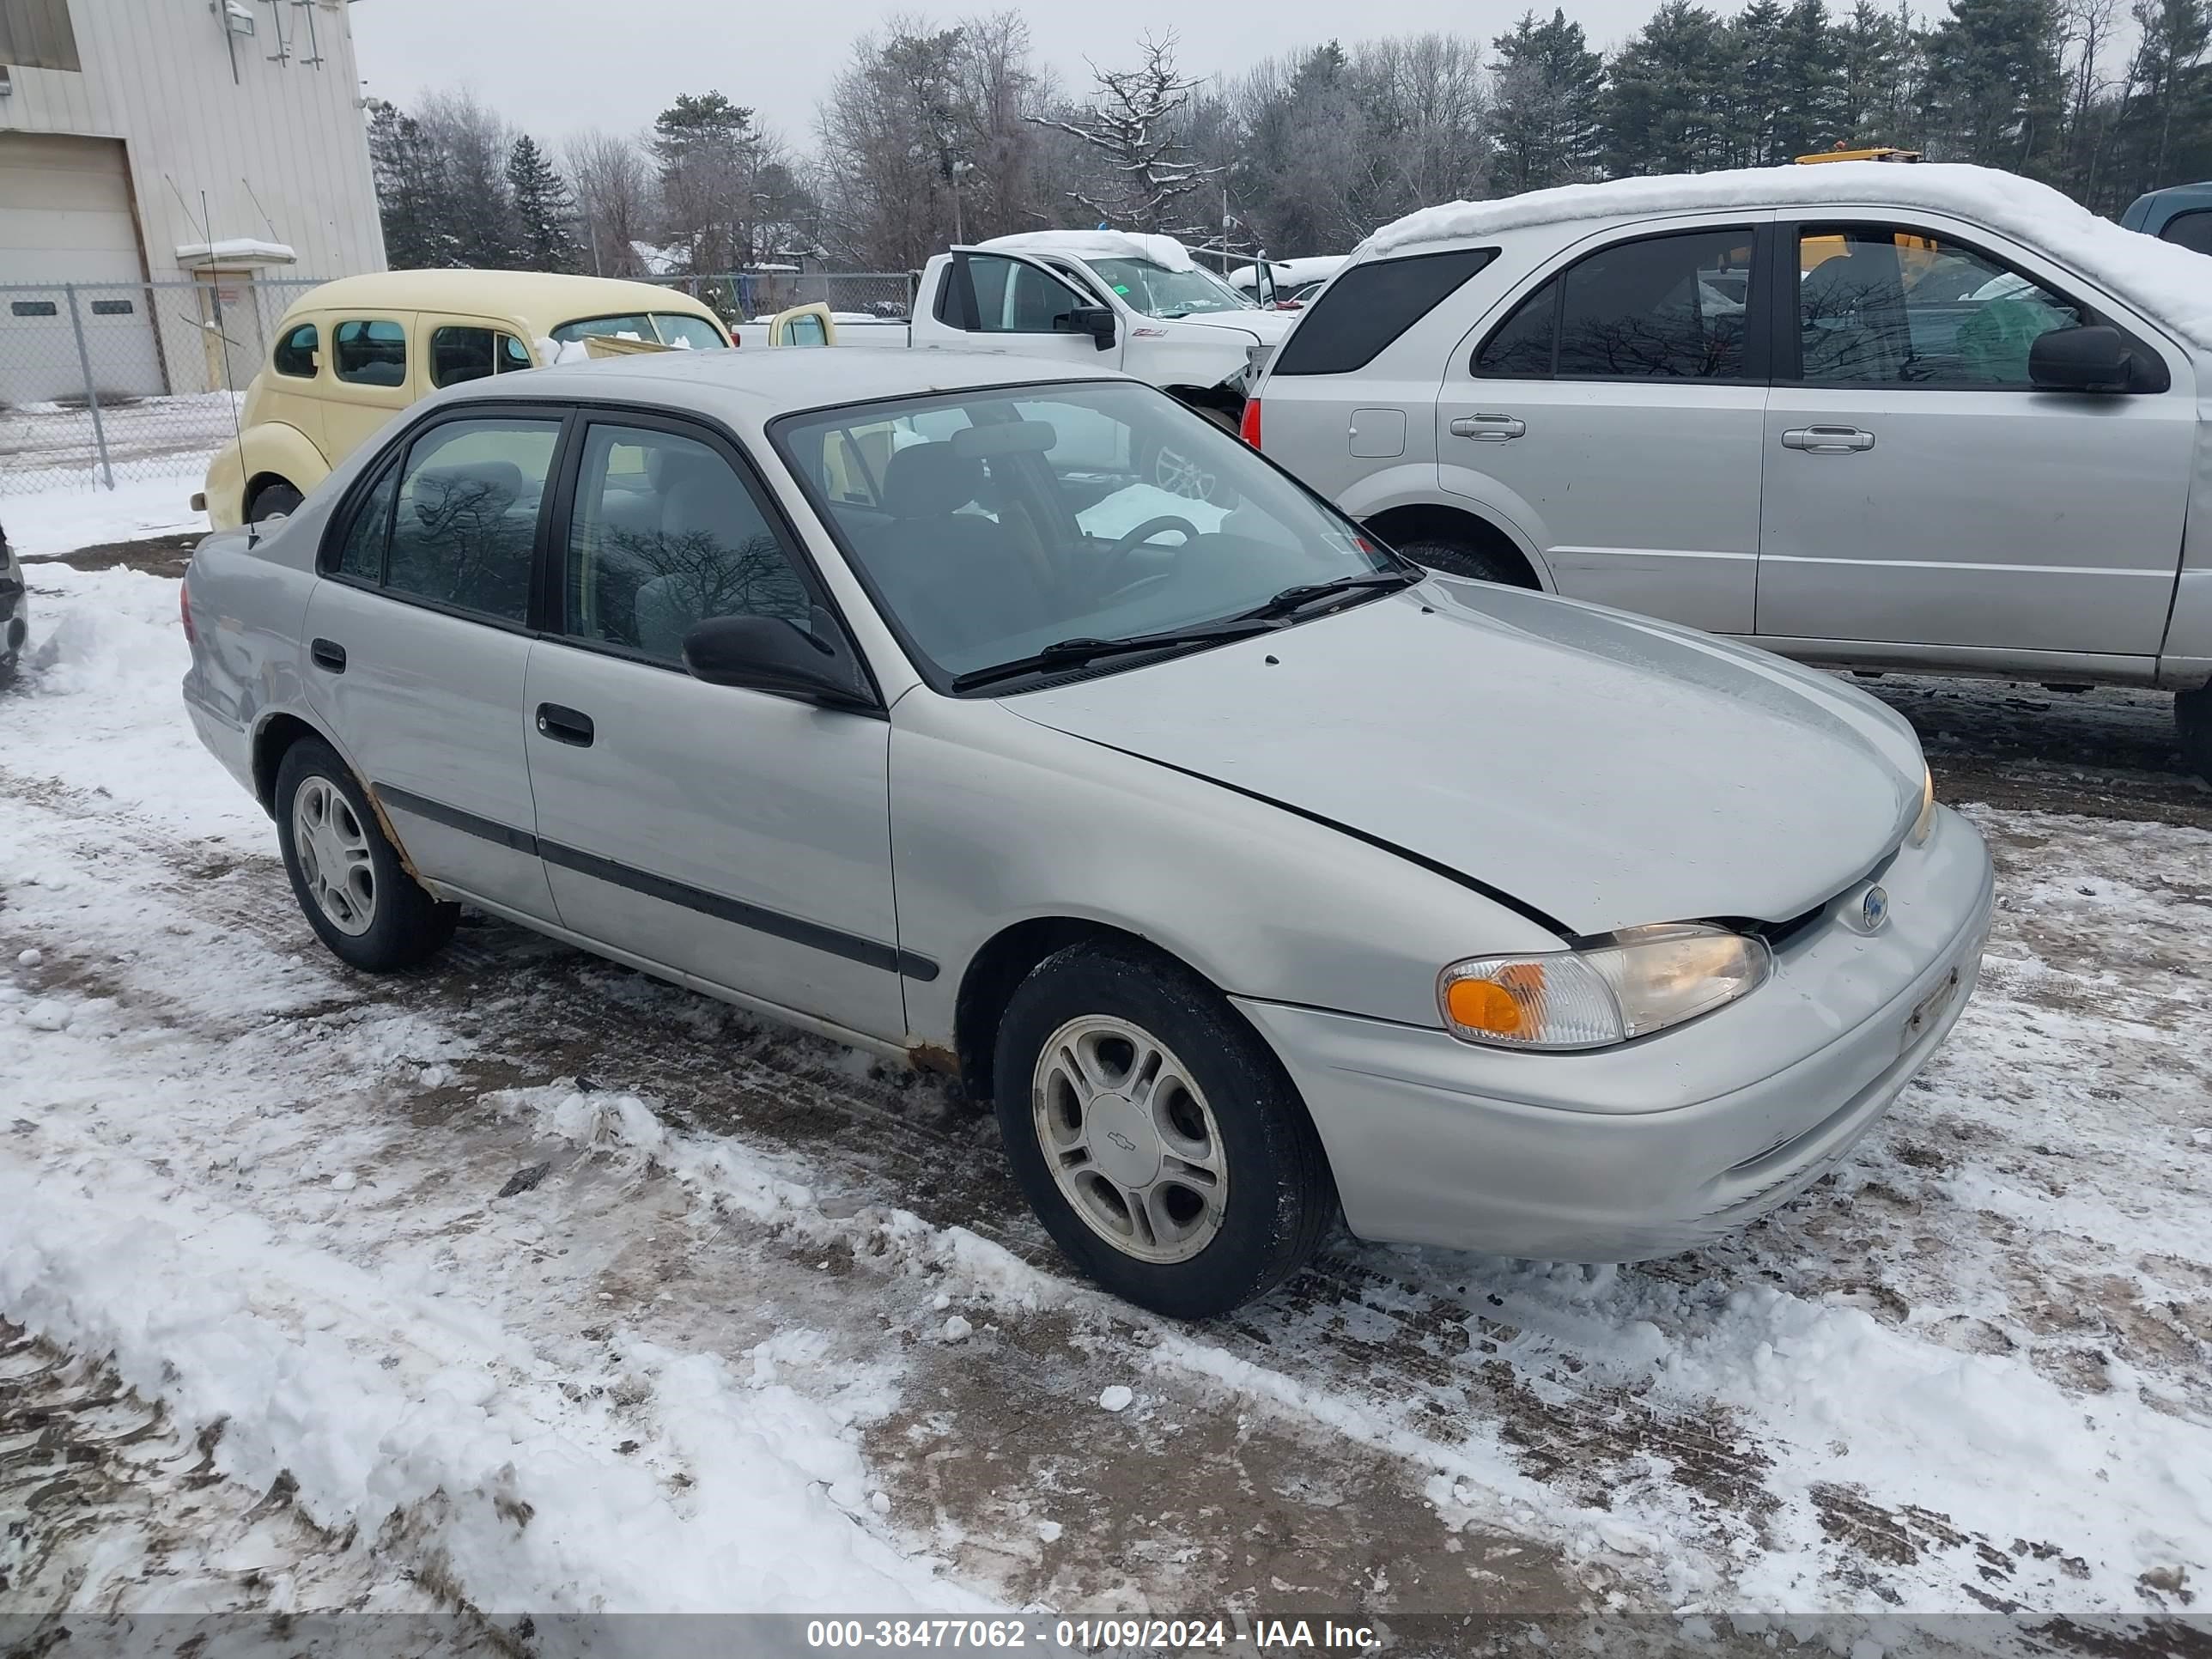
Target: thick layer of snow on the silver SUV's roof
[[2173, 284]]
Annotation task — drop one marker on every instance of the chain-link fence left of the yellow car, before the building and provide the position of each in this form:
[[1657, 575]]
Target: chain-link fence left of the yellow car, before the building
[[109, 384]]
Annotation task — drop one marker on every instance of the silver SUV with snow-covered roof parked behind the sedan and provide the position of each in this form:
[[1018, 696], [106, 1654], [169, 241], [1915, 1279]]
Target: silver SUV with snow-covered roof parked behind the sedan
[[1864, 415]]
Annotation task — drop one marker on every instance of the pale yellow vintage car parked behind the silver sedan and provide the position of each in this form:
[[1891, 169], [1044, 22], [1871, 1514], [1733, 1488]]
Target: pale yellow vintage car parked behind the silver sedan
[[355, 353]]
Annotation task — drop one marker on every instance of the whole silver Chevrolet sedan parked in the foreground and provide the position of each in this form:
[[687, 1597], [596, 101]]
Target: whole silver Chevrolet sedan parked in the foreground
[[1251, 873]]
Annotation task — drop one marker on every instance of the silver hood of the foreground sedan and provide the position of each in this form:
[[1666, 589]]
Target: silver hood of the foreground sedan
[[1600, 769]]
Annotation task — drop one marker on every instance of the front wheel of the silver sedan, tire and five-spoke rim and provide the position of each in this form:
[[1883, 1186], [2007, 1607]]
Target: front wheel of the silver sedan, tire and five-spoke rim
[[1156, 1136]]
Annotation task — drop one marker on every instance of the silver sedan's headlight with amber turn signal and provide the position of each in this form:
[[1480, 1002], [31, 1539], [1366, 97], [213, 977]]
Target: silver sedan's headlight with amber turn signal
[[1638, 981]]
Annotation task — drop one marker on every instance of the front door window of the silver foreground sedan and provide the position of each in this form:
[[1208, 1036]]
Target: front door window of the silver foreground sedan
[[665, 536]]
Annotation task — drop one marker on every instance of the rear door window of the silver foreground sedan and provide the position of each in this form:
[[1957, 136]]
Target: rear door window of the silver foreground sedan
[[466, 521]]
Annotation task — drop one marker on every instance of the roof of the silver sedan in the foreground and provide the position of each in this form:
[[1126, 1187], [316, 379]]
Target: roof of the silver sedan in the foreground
[[753, 386]]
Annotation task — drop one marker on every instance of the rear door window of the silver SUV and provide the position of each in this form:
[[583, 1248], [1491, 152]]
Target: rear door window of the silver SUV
[[1660, 309]]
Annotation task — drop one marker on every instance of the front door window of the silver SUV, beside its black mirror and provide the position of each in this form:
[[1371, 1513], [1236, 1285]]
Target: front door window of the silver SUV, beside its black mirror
[[1890, 306]]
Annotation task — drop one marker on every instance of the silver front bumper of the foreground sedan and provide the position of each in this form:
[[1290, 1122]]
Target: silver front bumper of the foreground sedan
[[1660, 1145]]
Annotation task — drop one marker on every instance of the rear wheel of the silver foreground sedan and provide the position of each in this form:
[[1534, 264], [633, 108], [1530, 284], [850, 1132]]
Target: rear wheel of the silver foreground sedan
[[346, 873]]
